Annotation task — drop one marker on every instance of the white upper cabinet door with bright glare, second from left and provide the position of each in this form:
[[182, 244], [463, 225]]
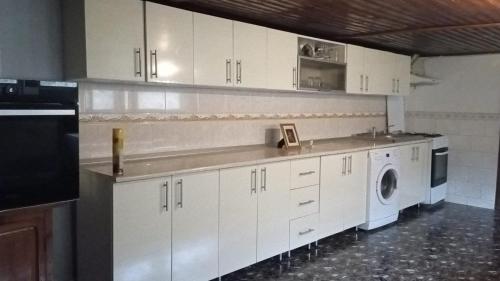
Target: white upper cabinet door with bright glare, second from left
[[169, 44]]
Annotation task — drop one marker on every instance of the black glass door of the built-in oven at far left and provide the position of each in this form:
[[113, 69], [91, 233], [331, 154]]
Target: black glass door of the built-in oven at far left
[[39, 156]]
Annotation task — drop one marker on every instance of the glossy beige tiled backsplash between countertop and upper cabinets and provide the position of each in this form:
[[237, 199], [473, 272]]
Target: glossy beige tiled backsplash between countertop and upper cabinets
[[159, 119]]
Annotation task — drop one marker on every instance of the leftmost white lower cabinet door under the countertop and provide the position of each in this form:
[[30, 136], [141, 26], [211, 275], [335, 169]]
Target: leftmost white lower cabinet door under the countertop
[[142, 213]]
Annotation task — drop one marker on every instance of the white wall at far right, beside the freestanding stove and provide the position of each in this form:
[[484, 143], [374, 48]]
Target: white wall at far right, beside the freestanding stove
[[466, 107]]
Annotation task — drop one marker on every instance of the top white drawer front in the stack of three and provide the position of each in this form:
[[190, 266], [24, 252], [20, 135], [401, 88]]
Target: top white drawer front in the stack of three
[[304, 172]]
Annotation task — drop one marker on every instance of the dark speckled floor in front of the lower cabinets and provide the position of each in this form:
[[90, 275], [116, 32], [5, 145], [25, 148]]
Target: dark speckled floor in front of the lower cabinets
[[448, 242]]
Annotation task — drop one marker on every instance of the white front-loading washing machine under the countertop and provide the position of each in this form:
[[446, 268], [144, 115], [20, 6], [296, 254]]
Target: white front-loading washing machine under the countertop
[[383, 193]]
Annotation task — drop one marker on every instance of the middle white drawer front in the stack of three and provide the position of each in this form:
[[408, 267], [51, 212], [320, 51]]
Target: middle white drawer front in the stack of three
[[304, 201]]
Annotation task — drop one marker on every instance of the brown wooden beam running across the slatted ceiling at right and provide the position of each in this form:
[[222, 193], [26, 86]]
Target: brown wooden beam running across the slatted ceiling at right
[[418, 30]]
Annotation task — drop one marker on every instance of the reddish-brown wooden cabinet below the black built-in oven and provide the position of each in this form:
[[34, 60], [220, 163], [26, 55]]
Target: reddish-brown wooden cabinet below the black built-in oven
[[25, 243]]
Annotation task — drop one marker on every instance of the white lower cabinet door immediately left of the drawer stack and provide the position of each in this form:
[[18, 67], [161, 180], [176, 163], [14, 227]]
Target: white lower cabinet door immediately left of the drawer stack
[[273, 215]]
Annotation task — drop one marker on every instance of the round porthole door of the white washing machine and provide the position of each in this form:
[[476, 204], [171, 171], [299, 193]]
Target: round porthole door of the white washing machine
[[387, 185]]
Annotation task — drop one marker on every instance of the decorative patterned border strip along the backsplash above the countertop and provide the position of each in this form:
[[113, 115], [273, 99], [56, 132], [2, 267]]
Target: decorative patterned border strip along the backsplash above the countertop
[[146, 117]]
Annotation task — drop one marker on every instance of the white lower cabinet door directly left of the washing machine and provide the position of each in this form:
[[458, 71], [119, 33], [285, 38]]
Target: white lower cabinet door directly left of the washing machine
[[354, 200]]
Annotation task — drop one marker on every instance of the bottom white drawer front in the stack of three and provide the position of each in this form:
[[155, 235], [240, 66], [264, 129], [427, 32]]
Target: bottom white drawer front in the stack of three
[[304, 231]]
